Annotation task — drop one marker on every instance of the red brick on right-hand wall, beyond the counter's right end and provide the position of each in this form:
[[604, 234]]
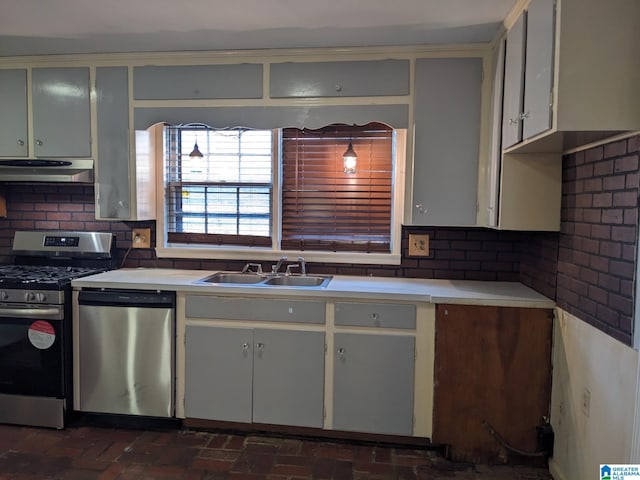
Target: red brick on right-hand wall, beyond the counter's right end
[[597, 244]]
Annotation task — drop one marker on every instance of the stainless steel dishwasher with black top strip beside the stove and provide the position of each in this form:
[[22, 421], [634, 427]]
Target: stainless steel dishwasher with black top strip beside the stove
[[126, 349]]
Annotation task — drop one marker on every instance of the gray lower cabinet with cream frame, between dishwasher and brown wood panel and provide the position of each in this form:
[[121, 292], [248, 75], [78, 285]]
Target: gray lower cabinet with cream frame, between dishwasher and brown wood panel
[[346, 365]]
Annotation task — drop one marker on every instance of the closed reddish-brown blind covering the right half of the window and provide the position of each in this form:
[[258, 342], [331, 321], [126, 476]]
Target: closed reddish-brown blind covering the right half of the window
[[324, 208]]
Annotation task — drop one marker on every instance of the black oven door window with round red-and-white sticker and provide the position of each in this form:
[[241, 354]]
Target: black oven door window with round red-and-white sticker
[[31, 358]]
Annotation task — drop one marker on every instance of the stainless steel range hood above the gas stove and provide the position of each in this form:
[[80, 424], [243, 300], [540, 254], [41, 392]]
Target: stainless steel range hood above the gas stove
[[46, 171]]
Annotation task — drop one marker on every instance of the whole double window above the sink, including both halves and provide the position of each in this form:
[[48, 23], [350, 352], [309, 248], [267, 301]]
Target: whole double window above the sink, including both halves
[[280, 191]]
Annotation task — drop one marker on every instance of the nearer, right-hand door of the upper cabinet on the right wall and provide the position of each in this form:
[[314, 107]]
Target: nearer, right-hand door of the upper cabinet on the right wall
[[538, 80]]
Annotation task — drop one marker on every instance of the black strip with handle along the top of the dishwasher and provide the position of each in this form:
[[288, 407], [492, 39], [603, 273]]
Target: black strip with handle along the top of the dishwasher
[[128, 298]]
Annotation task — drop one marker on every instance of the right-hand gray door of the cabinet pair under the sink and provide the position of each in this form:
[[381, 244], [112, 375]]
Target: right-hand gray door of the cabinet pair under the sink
[[288, 378]]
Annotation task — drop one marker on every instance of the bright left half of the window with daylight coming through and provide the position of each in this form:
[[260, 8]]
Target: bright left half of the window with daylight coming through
[[223, 196]]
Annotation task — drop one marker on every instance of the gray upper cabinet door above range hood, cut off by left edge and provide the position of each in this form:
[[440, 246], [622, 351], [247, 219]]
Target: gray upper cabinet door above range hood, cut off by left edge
[[13, 116]]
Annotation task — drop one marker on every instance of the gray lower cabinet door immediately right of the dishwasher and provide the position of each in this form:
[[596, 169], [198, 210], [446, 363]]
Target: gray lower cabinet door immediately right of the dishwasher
[[218, 364]]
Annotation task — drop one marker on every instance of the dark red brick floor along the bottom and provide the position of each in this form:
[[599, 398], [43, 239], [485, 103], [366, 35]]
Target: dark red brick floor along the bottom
[[93, 453]]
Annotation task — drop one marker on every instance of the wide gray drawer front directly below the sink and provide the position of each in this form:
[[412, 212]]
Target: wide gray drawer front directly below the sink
[[259, 309]]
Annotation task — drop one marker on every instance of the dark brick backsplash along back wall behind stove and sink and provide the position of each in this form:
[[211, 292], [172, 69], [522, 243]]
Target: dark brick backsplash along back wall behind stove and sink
[[456, 253]]
